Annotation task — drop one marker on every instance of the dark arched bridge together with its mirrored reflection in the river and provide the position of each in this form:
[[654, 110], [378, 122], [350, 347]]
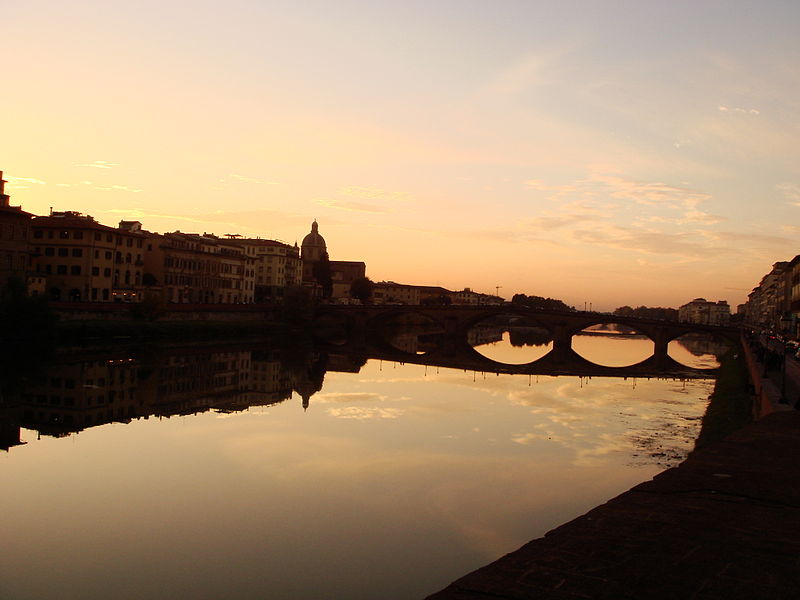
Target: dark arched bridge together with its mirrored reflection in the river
[[363, 330]]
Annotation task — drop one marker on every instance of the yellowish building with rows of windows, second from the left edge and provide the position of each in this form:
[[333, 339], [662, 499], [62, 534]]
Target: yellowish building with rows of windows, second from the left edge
[[82, 260]]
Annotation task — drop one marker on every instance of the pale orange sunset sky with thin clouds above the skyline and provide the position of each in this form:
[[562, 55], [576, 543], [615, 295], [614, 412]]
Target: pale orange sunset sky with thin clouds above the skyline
[[641, 152]]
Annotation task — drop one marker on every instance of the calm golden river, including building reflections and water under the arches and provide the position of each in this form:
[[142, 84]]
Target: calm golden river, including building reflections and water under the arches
[[168, 473]]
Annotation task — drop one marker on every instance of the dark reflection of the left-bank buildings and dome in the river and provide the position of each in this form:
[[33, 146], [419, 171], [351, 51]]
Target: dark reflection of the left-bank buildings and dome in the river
[[72, 395]]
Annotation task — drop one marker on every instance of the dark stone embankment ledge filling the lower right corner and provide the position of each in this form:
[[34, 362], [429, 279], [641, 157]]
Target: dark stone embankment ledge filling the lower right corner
[[725, 524]]
